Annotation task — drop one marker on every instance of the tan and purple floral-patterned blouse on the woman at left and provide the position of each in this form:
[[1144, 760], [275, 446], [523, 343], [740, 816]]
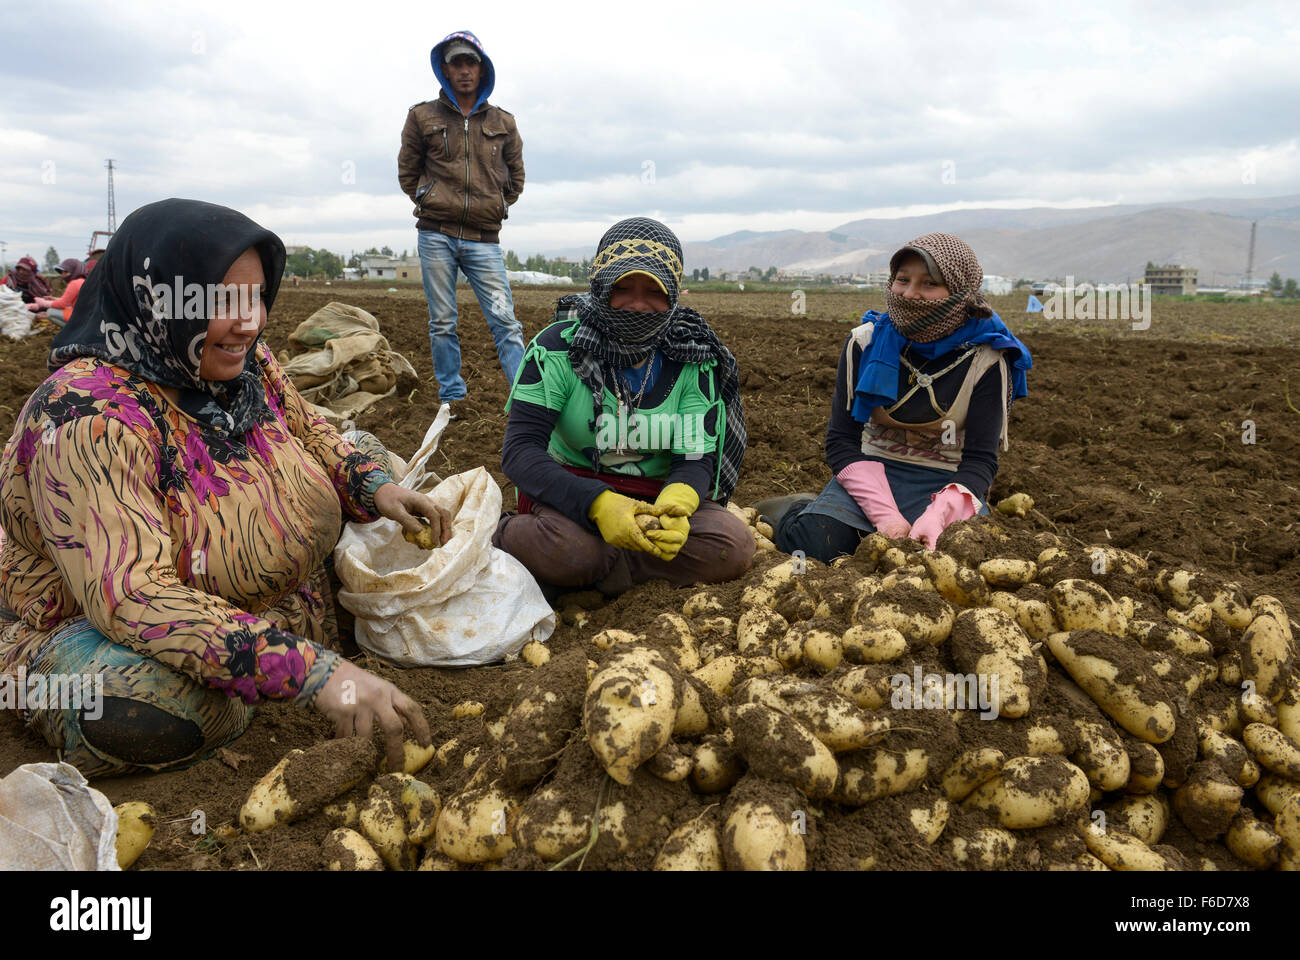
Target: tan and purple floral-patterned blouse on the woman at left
[[203, 552]]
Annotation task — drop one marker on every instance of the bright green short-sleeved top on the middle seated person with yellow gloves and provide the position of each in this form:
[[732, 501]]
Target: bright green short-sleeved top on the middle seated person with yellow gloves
[[636, 443]]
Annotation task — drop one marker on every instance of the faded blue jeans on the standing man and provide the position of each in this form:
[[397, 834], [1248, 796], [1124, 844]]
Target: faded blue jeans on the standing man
[[482, 263]]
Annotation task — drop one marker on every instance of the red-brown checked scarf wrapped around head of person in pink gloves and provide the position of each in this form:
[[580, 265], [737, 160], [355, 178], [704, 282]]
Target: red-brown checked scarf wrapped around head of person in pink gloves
[[951, 263]]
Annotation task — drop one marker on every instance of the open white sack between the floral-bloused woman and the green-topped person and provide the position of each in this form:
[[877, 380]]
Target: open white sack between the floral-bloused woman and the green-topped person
[[463, 604]]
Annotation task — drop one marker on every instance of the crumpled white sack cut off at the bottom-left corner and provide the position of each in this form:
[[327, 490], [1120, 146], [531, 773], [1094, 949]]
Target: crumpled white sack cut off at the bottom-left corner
[[51, 819]]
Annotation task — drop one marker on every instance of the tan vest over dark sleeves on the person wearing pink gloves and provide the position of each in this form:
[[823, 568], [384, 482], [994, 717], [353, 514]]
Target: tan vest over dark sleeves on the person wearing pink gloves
[[937, 444]]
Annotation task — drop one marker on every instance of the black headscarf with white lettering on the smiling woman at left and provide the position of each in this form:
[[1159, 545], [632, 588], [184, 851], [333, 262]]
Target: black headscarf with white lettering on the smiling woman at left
[[123, 317]]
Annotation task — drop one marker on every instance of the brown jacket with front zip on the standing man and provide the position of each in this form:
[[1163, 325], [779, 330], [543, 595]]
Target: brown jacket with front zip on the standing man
[[462, 174]]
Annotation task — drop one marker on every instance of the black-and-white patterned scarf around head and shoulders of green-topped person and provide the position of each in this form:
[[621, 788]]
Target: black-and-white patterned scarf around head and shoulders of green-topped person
[[609, 340]]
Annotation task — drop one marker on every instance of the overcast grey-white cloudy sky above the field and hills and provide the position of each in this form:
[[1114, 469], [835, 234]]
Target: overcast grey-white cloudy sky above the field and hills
[[749, 116]]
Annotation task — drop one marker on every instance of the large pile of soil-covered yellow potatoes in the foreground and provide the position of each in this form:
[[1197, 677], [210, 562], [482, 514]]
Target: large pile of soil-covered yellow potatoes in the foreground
[[762, 724]]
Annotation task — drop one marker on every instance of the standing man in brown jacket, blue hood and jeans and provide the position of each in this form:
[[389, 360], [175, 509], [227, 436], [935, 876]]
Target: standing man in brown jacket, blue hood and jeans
[[462, 165]]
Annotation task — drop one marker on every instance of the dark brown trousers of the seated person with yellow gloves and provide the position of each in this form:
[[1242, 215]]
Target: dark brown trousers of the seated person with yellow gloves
[[561, 553]]
